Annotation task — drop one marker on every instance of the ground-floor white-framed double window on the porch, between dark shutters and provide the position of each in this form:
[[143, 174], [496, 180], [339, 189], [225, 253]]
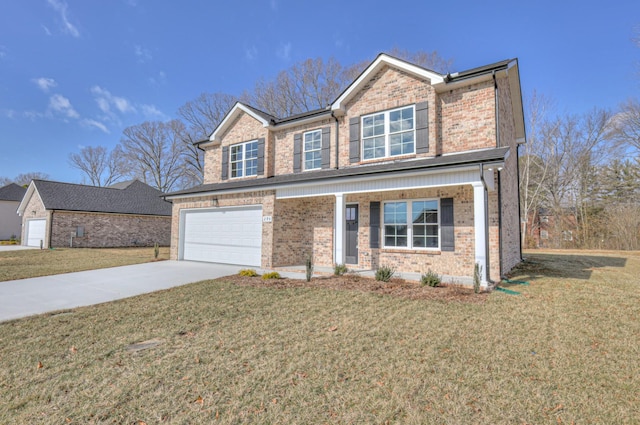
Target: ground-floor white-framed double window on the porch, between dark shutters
[[421, 232]]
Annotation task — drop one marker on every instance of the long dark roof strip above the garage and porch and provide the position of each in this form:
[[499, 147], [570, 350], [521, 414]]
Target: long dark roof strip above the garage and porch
[[389, 168]]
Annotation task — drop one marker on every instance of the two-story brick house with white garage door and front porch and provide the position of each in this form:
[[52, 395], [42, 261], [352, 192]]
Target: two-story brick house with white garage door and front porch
[[406, 168]]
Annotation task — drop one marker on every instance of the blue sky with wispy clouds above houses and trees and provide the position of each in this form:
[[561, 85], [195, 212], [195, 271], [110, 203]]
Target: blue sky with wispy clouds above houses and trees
[[75, 73]]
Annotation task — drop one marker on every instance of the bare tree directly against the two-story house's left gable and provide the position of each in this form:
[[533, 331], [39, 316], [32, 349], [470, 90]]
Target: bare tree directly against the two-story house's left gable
[[201, 116]]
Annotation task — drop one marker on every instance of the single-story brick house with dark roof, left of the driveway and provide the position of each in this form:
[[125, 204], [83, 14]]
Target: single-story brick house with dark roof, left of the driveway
[[56, 214]]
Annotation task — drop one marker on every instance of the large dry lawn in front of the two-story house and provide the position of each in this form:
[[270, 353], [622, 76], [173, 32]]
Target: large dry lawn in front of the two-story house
[[564, 351]]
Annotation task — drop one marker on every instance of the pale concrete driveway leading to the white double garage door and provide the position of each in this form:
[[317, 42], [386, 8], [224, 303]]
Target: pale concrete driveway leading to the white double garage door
[[25, 297]]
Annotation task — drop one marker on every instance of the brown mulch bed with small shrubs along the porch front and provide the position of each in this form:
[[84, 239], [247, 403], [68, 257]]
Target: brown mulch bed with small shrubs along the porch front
[[396, 287]]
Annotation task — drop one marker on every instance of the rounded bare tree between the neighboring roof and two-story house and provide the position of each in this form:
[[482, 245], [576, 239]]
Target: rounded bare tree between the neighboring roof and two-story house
[[156, 152]]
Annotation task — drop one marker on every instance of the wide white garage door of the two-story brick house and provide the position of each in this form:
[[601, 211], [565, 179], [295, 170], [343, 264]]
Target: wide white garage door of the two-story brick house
[[223, 235]]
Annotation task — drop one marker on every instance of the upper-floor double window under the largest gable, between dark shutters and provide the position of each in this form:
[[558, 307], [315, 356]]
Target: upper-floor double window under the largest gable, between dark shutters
[[389, 133]]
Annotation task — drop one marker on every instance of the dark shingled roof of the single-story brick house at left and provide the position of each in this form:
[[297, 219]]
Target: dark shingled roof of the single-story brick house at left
[[132, 197]]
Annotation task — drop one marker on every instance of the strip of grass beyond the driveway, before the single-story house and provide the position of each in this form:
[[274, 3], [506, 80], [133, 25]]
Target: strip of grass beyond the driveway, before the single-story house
[[28, 263]]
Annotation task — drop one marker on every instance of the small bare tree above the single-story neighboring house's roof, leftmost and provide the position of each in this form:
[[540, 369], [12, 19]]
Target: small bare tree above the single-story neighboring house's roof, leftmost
[[101, 167]]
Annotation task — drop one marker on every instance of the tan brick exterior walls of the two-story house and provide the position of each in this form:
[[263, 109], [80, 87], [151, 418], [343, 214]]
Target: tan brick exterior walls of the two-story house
[[460, 119]]
